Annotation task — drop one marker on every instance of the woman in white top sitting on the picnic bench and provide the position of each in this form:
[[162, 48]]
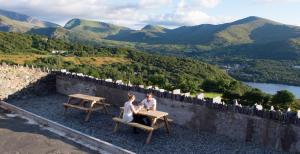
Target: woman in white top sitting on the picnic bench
[[130, 111]]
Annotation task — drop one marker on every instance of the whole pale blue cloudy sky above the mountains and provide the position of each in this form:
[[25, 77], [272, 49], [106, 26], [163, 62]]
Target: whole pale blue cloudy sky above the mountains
[[136, 14]]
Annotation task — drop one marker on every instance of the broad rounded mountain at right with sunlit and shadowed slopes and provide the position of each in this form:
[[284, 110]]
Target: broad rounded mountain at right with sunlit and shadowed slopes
[[244, 31]]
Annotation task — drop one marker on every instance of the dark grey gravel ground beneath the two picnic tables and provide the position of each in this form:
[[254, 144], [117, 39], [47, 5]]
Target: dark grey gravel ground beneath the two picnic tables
[[180, 140]]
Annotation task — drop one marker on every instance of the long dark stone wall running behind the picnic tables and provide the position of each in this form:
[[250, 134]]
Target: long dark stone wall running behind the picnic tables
[[271, 129]]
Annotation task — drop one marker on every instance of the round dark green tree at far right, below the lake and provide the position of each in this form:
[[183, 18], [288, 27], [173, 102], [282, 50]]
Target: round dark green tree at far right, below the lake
[[282, 99]]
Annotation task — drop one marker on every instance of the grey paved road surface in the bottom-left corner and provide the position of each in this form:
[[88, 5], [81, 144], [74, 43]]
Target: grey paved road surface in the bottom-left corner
[[16, 136]]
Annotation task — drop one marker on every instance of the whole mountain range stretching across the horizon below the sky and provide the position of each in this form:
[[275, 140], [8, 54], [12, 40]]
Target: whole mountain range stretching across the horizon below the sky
[[252, 37]]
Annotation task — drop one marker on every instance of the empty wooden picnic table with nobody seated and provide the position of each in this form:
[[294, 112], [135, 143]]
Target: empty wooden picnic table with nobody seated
[[86, 103]]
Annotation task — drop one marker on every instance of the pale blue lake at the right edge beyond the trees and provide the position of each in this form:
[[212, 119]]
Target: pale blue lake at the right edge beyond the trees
[[273, 88]]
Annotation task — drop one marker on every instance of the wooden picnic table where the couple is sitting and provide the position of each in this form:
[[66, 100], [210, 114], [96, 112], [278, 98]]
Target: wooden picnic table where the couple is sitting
[[158, 119]]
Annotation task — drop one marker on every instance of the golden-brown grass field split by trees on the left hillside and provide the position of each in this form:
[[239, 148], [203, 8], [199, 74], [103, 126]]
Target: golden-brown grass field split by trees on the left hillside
[[95, 61]]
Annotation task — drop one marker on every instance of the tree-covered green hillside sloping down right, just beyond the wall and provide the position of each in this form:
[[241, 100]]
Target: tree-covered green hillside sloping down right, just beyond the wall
[[141, 68]]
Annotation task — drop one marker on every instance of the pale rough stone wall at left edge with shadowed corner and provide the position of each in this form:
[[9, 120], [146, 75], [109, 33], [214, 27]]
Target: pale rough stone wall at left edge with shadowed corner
[[20, 81]]
